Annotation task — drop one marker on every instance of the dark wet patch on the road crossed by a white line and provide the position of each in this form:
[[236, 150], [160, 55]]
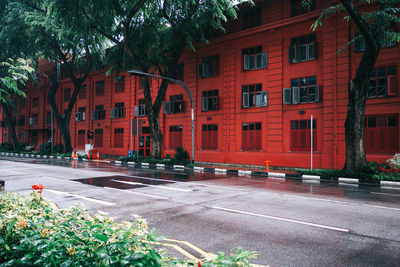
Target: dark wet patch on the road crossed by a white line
[[120, 182]]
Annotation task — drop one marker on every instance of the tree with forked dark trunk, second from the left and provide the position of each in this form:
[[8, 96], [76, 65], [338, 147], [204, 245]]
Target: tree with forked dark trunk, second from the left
[[78, 52]]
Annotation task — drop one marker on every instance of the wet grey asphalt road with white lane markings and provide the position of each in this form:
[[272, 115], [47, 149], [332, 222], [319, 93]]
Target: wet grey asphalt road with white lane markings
[[289, 222]]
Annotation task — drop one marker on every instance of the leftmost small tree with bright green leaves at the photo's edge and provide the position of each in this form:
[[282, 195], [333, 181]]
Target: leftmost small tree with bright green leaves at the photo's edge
[[13, 75]]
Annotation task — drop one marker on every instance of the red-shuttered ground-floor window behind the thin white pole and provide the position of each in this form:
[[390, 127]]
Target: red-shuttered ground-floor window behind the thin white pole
[[300, 135]]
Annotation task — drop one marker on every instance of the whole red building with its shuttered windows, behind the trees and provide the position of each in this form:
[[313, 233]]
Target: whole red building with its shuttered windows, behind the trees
[[255, 89]]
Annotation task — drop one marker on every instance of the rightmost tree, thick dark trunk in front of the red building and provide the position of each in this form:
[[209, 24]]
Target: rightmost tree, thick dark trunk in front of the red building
[[375, 26]]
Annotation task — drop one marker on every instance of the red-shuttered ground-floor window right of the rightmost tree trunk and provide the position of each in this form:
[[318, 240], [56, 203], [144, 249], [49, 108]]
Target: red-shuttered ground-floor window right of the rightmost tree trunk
[[381, 134]]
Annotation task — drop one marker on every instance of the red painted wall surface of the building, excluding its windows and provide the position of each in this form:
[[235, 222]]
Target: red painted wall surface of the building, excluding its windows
[[333, 72]]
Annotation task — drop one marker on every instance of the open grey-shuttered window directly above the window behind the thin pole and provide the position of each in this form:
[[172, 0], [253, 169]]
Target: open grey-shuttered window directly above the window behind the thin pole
[[303, 90]]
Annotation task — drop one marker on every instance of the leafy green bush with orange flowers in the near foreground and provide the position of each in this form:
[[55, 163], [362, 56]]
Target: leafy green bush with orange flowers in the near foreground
[[33, 232]]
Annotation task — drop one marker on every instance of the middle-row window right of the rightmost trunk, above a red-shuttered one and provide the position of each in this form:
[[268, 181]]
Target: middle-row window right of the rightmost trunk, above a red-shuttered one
[[383, 82]]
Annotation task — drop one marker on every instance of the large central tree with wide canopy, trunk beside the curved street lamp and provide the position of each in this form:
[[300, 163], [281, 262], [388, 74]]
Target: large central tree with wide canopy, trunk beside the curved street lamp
[[149, 36]]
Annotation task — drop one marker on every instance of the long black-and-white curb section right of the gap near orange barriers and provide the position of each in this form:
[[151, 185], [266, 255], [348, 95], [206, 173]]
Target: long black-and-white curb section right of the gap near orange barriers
[[340, 180]]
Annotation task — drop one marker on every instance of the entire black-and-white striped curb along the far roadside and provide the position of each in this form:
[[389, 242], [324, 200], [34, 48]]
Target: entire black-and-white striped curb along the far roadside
[[289, 176]]
